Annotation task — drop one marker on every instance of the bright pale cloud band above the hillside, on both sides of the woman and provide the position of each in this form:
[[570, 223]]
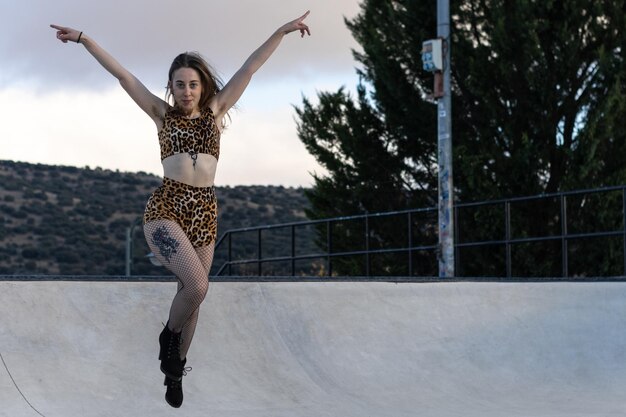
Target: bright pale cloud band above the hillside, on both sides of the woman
[[106, 129]]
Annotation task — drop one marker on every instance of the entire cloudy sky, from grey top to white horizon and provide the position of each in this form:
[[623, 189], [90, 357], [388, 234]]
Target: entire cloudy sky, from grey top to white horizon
[[60, 107]]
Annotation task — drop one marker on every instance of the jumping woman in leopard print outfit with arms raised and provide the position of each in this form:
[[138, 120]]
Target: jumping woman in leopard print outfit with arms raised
[[180, 220]]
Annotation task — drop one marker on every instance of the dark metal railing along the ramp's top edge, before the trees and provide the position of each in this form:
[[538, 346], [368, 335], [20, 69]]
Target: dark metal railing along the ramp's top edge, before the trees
[[506, 239]]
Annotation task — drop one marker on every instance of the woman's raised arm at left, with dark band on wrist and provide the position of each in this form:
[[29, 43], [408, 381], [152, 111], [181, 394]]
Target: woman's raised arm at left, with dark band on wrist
[[151, 104]]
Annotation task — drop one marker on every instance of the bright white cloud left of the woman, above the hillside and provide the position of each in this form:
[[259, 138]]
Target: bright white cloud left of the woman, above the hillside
[[78, 128]]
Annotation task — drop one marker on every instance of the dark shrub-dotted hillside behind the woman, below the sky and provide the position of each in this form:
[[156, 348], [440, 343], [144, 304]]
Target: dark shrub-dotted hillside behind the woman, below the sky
[[73, 221]]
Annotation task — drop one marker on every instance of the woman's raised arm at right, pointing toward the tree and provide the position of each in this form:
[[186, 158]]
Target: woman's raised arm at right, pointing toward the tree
[[235, 87]]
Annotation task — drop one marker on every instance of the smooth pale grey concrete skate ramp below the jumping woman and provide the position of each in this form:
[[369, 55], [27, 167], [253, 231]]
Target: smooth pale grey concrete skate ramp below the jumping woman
[[89, 349]]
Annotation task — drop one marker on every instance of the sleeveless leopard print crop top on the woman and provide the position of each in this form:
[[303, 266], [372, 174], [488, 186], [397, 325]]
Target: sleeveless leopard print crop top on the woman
[[192, 136]]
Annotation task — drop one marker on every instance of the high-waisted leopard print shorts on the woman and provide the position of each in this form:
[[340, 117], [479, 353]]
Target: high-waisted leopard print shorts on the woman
[[194, 209]]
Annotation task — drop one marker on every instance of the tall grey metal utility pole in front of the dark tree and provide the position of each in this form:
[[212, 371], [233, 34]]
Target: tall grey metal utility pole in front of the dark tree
[[446, 195]]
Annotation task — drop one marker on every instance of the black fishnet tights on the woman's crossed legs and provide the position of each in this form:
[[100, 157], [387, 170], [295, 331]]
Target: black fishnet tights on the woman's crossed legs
[[190, 265]]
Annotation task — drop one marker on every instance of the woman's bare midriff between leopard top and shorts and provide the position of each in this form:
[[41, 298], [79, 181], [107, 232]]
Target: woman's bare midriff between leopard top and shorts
[[180, 167]]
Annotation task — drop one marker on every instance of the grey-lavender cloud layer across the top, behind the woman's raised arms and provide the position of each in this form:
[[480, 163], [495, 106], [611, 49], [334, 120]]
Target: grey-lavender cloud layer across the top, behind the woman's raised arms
[[146, 35]]
